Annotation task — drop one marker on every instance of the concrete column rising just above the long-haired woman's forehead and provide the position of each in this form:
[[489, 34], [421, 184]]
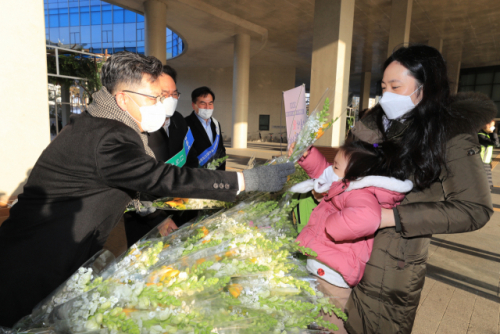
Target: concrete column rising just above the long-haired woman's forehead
[[400, 24]]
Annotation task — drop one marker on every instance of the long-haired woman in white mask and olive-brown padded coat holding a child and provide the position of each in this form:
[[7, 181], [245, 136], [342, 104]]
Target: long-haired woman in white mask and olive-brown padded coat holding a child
[[435, 139]]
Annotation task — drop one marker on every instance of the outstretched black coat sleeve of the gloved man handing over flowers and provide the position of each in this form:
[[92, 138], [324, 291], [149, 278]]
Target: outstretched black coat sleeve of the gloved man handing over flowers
[[122, 162]]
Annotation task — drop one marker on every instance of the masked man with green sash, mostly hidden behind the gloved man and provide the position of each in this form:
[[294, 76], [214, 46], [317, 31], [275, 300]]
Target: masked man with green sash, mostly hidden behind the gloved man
[[165, 143]]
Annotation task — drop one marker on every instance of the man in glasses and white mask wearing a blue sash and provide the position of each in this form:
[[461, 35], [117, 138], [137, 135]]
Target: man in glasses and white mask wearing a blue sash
[[207, 132]]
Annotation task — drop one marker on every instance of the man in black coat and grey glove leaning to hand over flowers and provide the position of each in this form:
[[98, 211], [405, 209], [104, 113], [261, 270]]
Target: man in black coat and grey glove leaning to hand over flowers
[[84, 179]]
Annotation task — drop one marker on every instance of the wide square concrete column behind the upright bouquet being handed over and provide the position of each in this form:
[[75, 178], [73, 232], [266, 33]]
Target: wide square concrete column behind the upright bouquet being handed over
[[331, 61]]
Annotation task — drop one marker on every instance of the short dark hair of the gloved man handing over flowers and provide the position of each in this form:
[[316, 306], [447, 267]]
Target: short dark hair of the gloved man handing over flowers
[[128, 68]]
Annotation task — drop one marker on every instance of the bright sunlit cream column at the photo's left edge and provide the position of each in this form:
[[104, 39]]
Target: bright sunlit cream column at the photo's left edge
[[25, 131]]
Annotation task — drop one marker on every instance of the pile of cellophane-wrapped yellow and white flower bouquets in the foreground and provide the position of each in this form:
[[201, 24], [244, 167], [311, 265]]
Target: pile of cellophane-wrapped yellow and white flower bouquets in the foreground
[[237, 271]]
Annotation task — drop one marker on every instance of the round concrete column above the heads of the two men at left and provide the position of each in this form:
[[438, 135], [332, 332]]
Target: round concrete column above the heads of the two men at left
[[155, 23]]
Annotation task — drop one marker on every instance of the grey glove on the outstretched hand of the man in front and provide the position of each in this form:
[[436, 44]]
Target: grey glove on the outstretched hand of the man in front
[[267, 178]]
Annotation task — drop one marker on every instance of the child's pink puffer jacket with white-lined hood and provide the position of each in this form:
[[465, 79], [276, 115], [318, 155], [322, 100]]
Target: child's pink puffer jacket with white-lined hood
[[342, 227]]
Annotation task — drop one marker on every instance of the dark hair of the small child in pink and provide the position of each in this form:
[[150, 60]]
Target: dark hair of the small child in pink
[[368, 159]]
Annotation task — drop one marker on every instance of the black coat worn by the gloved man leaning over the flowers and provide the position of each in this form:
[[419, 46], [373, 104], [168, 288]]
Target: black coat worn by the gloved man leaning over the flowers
[[76, 193]]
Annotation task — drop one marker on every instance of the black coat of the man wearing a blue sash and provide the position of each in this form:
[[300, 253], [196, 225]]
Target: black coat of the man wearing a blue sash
[[201, 140]]
